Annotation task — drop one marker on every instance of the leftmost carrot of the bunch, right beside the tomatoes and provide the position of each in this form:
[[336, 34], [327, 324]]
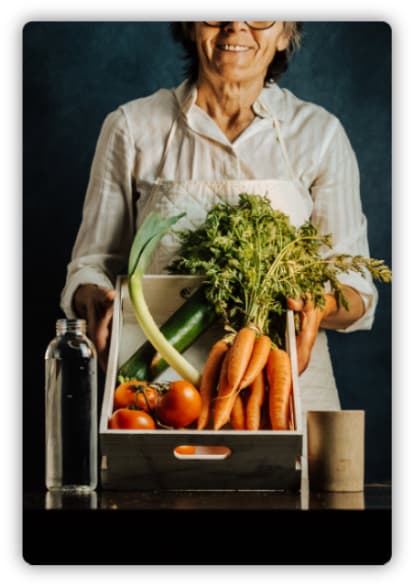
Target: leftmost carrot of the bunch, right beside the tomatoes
[[209, 380]]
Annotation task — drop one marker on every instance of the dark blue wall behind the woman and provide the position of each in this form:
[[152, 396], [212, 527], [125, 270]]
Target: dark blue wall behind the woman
[[74, 73]]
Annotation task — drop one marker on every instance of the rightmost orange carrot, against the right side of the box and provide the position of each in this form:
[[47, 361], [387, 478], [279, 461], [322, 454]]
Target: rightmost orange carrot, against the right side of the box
[[279, 377]]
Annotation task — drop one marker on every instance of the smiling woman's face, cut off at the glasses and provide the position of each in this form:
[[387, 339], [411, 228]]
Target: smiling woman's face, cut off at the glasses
[[235, 52]]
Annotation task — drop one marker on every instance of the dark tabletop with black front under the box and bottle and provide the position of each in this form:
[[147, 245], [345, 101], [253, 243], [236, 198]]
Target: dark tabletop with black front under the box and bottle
[[208, 527]]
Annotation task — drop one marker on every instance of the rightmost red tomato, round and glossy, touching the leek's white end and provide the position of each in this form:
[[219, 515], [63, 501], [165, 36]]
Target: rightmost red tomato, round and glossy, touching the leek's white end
[[180, 405]]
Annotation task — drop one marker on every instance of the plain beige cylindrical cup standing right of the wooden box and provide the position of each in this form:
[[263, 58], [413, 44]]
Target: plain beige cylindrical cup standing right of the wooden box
[[336, 450]]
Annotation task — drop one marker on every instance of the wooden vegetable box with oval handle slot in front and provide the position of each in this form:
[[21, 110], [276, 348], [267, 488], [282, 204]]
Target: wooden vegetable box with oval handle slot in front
[[222, 460]]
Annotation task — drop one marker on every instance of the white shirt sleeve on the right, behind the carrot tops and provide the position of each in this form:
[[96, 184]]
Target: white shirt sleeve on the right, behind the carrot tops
[[338, 211]]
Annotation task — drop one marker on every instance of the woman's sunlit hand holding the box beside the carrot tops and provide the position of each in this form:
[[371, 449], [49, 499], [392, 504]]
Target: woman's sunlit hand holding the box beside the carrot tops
[[330, 317]]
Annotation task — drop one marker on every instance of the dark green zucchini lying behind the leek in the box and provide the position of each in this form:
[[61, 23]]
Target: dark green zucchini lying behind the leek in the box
[[193, 318]]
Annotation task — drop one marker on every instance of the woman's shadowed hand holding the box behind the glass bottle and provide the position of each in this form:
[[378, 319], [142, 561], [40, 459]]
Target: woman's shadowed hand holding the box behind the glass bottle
[[95, 304]]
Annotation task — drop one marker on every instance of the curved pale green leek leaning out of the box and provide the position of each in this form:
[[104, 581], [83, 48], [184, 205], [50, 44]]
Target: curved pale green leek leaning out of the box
[[147, 237]]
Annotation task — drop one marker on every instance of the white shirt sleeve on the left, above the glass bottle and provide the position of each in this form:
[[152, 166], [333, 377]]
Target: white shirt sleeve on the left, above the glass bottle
[[105, 234]]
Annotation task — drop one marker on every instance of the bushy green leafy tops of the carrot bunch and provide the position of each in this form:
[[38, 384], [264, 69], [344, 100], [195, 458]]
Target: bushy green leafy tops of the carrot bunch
[[254, 259]]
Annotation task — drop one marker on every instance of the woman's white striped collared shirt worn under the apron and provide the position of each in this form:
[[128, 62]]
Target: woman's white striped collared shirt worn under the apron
[[127, 162]]
